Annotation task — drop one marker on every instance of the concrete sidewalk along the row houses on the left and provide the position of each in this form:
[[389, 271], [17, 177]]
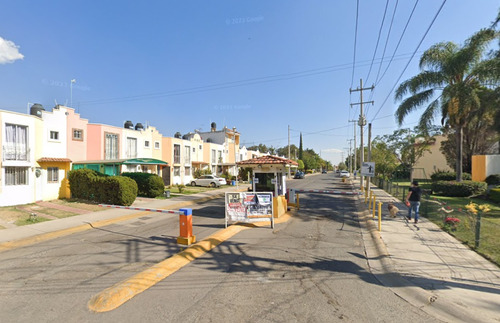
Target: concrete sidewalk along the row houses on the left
[[14, 234]]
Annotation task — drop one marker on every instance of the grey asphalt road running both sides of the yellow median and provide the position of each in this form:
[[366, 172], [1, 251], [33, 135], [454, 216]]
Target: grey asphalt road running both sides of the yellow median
[[310, 269]]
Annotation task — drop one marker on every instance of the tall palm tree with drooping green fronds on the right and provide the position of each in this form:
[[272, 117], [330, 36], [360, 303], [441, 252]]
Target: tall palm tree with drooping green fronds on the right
[[455, 75]]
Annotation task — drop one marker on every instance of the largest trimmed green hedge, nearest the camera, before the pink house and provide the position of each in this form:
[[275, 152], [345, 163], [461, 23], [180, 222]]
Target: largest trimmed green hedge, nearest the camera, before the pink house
[[91, 185]]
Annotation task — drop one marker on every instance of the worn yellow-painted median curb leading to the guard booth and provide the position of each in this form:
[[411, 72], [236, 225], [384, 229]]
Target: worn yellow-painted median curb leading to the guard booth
[[114, 296]]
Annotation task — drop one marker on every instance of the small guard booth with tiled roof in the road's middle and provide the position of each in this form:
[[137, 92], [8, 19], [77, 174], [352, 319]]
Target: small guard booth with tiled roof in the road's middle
[[269, 175]]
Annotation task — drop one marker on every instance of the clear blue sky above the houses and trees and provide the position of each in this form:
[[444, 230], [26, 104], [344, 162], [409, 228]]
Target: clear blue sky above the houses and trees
[[258, 66]]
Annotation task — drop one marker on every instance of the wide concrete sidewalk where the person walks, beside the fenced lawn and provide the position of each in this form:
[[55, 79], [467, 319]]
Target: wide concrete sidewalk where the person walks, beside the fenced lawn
[[430, 268]]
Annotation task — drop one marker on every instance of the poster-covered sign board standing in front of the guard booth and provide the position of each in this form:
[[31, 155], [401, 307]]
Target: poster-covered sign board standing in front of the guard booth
[[249, 207]]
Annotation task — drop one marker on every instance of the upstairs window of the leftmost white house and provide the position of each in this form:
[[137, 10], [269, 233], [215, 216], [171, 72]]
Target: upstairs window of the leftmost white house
[[16, 142]]
